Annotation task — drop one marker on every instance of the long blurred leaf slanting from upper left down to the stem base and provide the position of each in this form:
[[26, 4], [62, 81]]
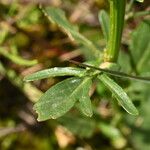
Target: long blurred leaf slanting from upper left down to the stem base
[[57, 16]]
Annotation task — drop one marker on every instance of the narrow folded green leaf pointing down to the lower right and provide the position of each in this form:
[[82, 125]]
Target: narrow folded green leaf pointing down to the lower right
[[119, 94]]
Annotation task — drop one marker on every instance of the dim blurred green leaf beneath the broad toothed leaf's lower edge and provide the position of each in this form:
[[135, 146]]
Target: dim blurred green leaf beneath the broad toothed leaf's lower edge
[[78, 125]]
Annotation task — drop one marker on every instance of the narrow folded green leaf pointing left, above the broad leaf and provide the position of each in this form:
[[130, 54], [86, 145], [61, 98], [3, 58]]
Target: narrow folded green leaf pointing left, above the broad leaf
[[53, 72]]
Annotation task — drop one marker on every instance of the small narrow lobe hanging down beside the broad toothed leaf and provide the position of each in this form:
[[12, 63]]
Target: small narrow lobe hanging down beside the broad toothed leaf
[[84, 100]]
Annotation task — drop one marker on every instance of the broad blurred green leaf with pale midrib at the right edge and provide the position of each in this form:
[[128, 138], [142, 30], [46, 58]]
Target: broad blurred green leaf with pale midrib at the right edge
[[140, 46]]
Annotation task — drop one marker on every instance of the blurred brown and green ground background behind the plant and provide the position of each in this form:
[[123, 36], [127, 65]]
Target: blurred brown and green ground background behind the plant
[[29, 42]]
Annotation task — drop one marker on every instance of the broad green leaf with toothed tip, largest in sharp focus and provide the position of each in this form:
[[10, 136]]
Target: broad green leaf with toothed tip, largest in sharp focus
[[59, 99]]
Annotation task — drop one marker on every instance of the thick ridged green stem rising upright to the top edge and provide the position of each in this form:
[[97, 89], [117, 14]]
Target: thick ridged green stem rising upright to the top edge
[[117, 13]]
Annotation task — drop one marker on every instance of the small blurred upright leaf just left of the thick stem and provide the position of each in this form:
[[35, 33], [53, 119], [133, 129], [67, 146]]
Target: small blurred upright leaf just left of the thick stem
[[104, 21]]
